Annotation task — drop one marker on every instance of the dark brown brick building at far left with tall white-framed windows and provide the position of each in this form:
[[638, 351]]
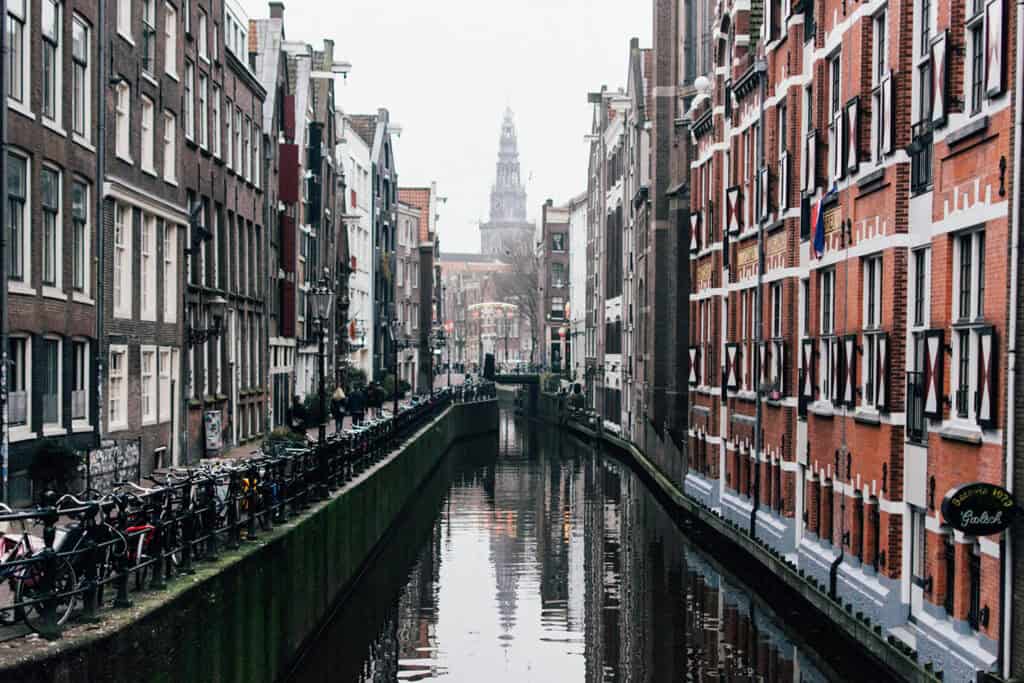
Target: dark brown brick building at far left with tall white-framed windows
[[53, 214]]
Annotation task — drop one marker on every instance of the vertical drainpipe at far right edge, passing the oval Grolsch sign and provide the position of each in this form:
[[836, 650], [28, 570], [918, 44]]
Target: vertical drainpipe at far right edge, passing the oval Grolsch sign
[[1006, 551]]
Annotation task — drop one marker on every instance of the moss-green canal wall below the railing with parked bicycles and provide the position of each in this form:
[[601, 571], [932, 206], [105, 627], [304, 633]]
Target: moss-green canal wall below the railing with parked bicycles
[[247, 617]]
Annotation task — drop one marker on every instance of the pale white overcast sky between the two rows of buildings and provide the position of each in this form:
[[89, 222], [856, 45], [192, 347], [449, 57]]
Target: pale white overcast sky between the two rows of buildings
[[447, 70]]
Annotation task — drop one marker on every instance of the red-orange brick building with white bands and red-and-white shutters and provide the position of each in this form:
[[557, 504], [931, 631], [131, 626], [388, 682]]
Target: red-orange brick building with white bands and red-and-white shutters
[[841, 386]]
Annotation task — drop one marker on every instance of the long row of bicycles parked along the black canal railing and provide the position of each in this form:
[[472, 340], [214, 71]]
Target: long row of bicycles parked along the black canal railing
[[76, 554]]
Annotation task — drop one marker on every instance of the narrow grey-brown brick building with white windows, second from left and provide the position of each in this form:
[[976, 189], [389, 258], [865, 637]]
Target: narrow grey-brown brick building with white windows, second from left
[[144, 234]]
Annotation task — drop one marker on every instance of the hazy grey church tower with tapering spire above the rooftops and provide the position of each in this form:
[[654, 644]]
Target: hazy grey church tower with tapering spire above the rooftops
[[508, 229]]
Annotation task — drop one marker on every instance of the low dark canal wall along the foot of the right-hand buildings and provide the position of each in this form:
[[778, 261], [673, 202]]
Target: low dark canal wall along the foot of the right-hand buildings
[[783, 580]]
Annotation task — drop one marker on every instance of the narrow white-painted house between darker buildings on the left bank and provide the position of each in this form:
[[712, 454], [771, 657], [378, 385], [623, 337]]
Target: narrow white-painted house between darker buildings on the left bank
[[354, 156]]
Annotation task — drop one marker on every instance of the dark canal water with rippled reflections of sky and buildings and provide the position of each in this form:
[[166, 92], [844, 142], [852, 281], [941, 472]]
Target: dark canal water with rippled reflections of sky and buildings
[[530, 557]]
